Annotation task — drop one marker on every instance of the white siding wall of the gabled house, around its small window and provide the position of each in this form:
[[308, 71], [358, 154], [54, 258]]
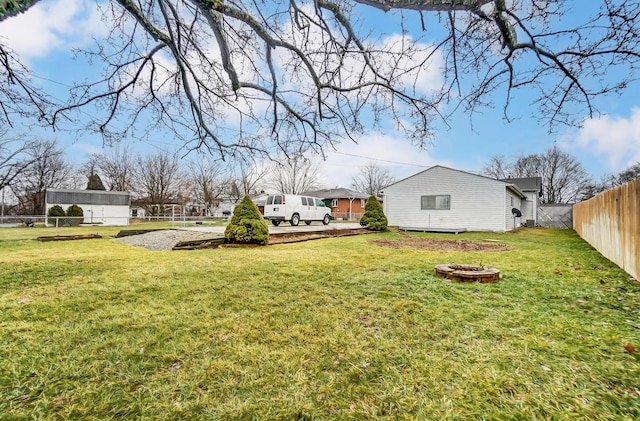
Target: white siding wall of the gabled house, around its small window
[[477, 203]]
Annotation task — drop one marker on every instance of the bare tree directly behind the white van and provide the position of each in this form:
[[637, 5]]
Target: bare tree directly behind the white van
[[294, 176]]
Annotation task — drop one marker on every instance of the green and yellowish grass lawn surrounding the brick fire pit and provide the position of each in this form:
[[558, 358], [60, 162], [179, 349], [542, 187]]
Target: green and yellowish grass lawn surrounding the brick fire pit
[[328, 329]]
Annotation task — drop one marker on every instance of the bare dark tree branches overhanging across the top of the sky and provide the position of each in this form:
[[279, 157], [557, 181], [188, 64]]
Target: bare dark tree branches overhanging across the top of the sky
[[287, 76]]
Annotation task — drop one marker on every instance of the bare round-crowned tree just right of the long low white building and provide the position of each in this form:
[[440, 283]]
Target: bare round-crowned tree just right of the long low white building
[[158, 180]]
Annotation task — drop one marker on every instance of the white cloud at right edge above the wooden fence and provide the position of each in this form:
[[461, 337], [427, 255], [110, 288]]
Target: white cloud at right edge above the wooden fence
[[615, 140]]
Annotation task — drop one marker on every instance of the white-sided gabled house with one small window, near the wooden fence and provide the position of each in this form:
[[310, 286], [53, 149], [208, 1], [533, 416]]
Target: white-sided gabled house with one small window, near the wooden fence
[[445, 199]]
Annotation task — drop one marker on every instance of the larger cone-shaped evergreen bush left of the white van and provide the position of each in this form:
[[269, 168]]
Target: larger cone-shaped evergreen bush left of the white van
[[247, 225]]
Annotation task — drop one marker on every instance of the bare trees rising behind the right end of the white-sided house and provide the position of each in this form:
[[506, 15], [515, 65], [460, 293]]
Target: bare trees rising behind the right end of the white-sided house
[[564, 179]]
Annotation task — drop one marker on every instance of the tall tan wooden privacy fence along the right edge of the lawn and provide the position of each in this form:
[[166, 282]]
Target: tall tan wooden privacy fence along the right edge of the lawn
[[610, 222]]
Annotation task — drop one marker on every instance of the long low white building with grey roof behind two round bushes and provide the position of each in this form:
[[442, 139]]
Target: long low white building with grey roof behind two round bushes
[[98, 206]]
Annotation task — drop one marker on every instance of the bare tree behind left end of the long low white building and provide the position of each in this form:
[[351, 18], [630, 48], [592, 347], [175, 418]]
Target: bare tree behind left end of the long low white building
[[47, 169]]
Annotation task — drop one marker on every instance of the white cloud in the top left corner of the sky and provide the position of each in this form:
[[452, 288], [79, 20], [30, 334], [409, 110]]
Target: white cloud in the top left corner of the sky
[[50, 26]]
